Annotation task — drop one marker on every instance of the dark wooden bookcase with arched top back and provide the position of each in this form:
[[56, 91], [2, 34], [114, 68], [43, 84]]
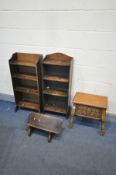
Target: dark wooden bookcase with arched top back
[[57, 69]]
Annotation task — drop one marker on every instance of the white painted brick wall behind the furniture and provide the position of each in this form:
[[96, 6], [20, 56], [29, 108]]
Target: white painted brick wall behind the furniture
[[83, 29]]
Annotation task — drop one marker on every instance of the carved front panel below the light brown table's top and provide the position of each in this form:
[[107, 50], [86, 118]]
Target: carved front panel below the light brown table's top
[[89, 112]]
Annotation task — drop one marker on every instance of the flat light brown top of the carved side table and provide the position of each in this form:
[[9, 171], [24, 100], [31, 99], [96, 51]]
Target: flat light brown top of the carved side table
[[90, 100]]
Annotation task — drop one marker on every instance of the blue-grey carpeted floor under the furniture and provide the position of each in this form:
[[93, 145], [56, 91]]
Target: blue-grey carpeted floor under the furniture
[[77, 151]]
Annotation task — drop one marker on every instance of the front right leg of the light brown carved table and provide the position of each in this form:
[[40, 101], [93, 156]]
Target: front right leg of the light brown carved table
[[102, 129]]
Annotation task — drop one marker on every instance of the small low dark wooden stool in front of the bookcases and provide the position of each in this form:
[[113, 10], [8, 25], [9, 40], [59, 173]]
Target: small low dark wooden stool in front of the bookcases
[[50, 124]]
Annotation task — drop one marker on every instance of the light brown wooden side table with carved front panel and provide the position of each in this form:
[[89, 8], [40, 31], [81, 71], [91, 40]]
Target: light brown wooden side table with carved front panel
[[89, 106]]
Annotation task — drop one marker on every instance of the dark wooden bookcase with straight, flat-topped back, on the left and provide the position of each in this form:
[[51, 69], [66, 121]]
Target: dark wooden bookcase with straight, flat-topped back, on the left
[[26, 80]]
